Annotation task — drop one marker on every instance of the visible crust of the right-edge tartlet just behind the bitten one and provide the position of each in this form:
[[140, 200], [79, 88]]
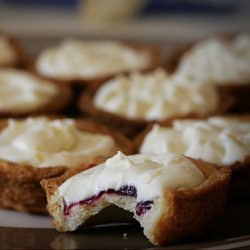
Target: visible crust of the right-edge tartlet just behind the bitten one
[[240, 180]]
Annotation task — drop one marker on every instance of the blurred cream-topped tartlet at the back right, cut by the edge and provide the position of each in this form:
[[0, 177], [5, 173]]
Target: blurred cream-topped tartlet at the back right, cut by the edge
[[221, 60]]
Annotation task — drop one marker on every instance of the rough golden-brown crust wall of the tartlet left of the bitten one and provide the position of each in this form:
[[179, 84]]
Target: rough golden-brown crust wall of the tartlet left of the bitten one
[[20, 186]]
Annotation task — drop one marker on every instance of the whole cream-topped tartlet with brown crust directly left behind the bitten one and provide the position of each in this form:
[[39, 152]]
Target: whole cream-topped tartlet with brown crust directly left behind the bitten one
[[36, 148]]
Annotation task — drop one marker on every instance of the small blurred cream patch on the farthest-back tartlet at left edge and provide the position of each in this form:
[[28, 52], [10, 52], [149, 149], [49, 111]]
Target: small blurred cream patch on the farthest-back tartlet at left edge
[[7, 52]]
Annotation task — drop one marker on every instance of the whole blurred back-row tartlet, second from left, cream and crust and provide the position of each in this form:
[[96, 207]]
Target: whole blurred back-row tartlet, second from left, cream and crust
[[79, 63]]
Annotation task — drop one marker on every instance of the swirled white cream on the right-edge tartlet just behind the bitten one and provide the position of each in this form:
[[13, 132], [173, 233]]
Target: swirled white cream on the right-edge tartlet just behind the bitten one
[[218, 140]]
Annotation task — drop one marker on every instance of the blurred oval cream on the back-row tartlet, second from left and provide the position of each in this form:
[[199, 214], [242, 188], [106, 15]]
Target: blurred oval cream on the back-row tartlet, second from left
[[74, 59]]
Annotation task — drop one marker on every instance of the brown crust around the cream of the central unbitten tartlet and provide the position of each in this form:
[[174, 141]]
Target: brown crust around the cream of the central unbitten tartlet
[[131, 127]]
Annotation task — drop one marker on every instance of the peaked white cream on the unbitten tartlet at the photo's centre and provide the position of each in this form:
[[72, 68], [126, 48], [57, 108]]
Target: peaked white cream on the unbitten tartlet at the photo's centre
[[155, 96]]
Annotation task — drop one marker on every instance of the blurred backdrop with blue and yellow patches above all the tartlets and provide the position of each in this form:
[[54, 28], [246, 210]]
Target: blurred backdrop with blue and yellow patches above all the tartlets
[[147, 20]]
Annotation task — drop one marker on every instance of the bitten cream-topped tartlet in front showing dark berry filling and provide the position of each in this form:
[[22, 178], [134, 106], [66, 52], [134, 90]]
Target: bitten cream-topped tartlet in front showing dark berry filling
[[172, 196]]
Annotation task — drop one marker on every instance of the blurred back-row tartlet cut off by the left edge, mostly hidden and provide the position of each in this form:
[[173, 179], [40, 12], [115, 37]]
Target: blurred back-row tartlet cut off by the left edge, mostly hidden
[[11, 52]]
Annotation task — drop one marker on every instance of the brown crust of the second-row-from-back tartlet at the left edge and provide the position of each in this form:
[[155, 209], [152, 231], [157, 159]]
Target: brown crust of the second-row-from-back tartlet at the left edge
[[57, 104]]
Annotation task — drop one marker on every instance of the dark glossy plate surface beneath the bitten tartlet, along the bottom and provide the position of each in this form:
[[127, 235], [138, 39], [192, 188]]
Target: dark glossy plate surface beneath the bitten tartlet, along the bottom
[[23, 231]]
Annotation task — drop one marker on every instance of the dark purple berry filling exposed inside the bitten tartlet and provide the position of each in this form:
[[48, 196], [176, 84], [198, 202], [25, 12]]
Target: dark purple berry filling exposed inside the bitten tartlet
[[141, 207]]
